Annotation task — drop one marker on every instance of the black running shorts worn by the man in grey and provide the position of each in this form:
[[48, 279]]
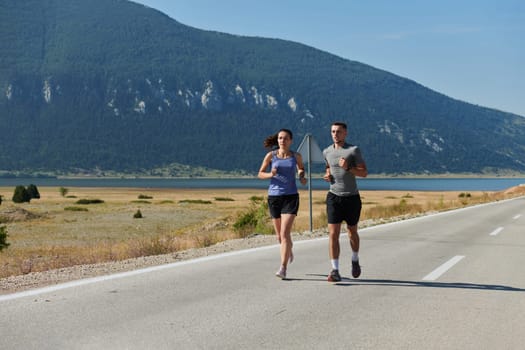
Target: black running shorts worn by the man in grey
[[339, 209]]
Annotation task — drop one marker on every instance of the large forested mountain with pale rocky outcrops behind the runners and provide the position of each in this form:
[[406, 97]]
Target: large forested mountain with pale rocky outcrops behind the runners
[[124, 87]]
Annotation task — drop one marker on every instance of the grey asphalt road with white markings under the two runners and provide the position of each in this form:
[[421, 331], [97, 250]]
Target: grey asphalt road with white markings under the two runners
[[454, 280]]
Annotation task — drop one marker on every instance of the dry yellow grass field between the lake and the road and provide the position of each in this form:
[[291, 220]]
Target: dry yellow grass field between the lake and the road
[[54, 231]]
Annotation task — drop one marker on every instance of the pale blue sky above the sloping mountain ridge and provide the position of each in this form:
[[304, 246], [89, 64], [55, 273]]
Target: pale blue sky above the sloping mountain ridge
[[471, 50]]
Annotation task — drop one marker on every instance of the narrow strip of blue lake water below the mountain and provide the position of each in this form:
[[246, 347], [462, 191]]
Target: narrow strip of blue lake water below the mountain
[[399, 184]]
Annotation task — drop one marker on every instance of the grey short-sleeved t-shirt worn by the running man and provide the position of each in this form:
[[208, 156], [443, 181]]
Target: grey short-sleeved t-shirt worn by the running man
[[344, 183]]
